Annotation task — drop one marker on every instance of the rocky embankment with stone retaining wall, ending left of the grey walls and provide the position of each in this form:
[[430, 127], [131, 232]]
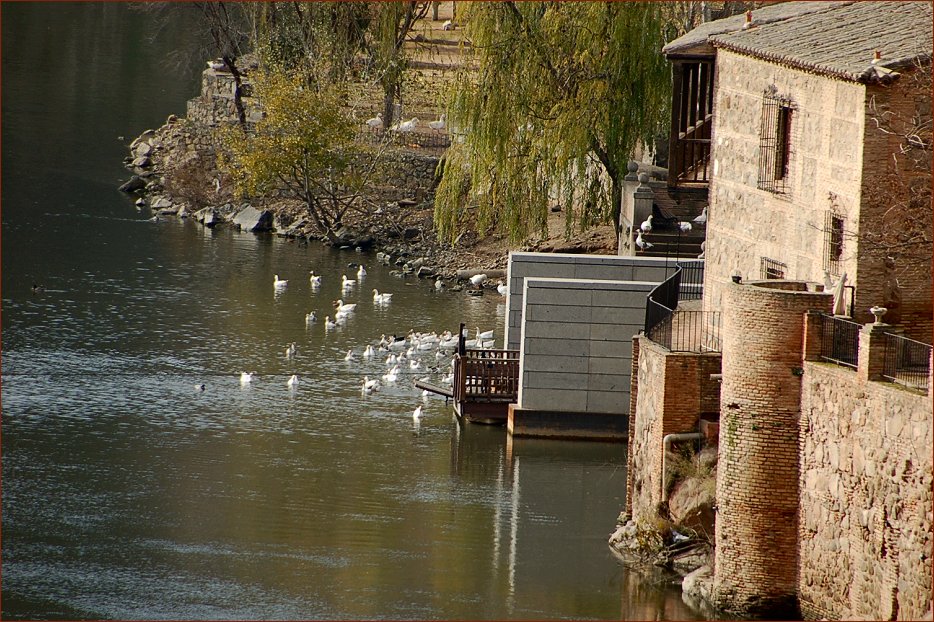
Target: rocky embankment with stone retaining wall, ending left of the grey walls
[[174, 174]]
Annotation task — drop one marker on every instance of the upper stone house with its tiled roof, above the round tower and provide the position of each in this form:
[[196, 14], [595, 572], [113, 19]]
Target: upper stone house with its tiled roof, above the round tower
[[802, 178]]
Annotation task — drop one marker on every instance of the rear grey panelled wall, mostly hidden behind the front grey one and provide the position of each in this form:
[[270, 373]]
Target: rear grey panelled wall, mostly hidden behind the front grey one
[[570, 266]]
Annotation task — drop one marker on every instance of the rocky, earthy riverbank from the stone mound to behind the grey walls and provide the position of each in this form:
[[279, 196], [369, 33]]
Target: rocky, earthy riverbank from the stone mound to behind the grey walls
[[174, 175]]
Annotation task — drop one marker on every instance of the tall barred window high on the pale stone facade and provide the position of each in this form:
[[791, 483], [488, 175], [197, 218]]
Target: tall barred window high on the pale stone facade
[[775, 142]]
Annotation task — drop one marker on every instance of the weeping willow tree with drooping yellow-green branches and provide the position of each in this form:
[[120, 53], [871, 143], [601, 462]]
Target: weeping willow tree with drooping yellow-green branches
[[554, 100]]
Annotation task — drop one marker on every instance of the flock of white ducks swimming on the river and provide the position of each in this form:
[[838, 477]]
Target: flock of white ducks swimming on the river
[[416, 355]]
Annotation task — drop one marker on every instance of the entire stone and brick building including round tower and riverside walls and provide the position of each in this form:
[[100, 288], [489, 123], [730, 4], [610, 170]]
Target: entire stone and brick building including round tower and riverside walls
[[786, 117]]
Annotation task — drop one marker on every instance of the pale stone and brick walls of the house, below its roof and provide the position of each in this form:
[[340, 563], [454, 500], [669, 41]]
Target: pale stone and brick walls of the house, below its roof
[[834, 161]]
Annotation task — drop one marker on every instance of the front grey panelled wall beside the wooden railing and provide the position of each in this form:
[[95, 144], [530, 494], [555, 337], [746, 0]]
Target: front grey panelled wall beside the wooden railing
[[575, 351]]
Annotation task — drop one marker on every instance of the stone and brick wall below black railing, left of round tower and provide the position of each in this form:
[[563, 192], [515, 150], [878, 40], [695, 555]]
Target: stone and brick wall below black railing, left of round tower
[[673, 390]]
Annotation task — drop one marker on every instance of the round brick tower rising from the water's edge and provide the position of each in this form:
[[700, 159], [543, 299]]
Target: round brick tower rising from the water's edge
[[755, 571]]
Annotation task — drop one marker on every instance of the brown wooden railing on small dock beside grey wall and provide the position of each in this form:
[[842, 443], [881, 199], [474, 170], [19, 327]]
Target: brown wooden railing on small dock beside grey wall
[[486, 375]]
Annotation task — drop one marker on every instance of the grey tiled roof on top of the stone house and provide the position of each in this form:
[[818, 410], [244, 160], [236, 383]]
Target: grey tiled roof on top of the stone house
[[841, 41]]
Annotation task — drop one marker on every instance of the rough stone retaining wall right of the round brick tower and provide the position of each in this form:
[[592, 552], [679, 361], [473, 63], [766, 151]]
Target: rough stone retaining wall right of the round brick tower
[[866, 510]]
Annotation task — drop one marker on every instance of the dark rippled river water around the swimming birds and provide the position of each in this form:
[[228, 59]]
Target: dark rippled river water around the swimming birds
[[129, 494]]
